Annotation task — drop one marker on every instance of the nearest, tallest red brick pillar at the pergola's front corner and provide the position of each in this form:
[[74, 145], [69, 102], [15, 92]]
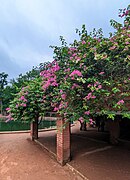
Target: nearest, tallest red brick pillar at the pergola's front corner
[[63, 142]]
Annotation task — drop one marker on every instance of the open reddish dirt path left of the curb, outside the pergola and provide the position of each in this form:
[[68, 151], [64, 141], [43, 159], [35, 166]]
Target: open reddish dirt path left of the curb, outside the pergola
[[21, 159]]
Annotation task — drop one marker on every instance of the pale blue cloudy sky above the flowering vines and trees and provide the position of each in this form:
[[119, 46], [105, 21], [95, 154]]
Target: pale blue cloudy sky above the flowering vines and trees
[[29, 27]]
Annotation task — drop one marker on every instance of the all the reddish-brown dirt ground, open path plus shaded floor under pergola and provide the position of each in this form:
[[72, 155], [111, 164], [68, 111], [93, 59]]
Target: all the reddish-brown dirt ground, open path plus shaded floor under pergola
[[92, 156]]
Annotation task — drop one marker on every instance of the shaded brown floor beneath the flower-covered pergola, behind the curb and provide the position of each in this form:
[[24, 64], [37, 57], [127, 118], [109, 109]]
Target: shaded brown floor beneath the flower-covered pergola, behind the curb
[[92, 155]]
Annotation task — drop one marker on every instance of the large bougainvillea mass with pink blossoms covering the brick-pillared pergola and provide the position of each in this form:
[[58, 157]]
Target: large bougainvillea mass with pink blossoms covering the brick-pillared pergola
[[88, 77]]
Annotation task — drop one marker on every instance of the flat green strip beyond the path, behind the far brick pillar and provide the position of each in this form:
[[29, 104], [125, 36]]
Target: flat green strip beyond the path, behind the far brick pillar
[[18, 125]]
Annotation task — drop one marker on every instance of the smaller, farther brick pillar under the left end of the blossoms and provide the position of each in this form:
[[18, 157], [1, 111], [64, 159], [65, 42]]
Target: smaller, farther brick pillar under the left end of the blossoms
[[34, 130]]
